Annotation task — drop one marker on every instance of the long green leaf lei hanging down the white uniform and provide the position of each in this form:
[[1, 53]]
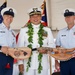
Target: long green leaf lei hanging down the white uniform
[[40, 41]]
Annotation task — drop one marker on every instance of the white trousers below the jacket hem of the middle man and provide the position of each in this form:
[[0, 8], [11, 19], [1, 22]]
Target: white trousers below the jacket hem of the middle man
[[35, 72]]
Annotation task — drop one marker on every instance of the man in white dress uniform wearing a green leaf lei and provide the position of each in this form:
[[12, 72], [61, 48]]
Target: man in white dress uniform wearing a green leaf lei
[[35, 35]]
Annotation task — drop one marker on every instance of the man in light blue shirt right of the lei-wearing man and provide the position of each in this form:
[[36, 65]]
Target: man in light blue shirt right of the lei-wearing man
[[66, 39]]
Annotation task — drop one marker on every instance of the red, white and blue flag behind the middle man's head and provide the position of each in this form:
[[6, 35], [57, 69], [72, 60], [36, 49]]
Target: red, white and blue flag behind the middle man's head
[[44, 14]]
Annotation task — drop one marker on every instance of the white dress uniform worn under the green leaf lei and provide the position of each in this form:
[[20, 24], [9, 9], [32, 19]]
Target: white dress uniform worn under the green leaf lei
[[47, 42]]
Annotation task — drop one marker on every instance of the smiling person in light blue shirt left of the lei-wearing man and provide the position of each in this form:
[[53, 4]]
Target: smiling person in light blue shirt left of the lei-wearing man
[[7, 39]]
